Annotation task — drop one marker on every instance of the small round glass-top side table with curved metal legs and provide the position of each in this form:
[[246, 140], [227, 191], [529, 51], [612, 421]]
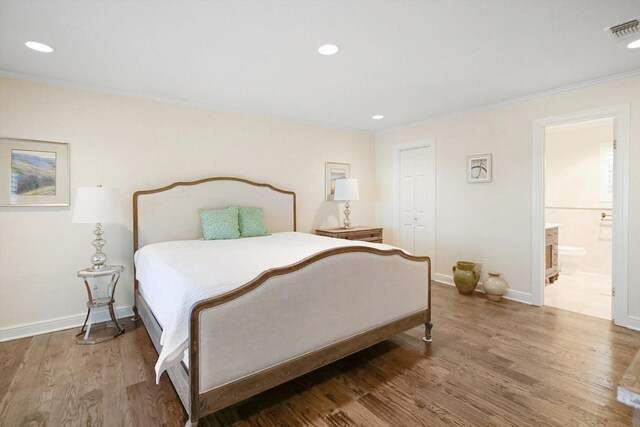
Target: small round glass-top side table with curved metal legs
[[99, 300]]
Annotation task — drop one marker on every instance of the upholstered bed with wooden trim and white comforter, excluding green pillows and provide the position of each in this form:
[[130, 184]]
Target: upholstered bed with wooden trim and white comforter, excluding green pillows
[[232, 319]]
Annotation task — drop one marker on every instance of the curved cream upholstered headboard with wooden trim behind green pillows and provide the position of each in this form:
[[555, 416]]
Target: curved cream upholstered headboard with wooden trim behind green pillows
[[171, 212]]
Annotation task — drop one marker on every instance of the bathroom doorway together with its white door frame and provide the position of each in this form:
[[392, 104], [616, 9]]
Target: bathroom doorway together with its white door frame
[[612, 229]]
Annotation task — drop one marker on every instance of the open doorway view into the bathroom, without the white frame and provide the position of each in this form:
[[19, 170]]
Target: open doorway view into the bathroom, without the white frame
[[579, 184]]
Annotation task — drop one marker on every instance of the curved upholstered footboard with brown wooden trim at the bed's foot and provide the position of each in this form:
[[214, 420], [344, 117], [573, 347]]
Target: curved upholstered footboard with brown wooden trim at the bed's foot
[[294, 319]]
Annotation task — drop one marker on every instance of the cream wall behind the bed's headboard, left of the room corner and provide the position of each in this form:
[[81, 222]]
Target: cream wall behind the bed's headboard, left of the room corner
[[133, 144]]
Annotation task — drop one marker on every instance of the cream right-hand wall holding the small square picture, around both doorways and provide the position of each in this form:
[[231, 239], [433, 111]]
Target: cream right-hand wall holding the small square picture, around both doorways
[[491, 223]]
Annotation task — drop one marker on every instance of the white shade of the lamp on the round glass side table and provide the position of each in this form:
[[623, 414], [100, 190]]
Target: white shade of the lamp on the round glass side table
[[97, 204]]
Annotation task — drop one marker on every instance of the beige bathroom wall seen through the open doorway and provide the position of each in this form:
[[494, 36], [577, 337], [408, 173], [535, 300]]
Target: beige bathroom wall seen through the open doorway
[[572, 180]]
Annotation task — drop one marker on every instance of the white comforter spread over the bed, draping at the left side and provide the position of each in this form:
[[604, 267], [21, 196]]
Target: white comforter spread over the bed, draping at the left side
[[176, 275]]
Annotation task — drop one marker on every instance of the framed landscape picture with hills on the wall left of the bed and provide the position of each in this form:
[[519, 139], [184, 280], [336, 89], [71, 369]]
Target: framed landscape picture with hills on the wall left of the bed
[[33, 173]]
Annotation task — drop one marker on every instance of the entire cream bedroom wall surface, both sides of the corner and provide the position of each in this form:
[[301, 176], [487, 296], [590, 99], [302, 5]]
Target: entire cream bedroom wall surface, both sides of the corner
[[132, 143]]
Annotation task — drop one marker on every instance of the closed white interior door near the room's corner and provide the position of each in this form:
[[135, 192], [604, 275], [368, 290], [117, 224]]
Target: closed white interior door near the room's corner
[[417, 200]]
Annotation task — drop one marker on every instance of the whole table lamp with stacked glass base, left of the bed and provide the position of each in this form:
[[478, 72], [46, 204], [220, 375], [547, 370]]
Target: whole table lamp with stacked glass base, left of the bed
[[97, 205]]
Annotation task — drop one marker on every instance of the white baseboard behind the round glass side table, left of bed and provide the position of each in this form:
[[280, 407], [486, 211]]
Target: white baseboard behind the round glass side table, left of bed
[[57, 324]]
